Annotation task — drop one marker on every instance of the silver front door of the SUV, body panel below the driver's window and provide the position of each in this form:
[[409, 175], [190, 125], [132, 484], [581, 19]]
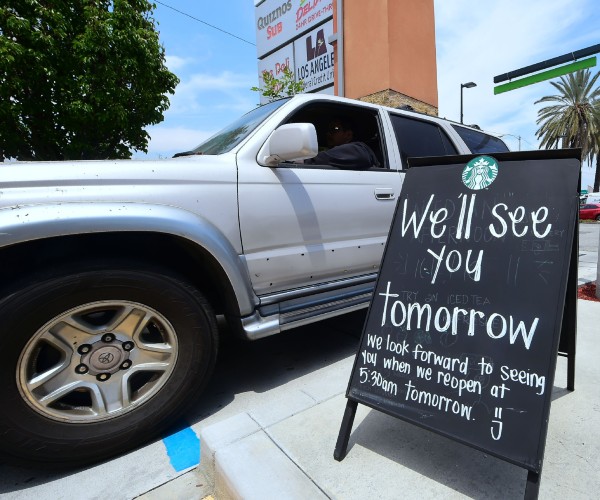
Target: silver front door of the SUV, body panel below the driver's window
[[305, 225]]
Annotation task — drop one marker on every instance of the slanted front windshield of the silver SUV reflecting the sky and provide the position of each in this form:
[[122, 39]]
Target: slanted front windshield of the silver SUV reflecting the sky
[[235, 132]]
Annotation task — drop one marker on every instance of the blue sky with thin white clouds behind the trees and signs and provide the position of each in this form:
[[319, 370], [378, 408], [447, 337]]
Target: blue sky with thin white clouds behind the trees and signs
[[475, 41]]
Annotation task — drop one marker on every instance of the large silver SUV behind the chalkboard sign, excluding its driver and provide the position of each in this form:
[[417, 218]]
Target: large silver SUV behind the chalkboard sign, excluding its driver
[[113, 272]]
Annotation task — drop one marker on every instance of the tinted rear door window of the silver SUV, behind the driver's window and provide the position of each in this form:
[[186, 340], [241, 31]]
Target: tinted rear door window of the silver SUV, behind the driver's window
[[420, 138]]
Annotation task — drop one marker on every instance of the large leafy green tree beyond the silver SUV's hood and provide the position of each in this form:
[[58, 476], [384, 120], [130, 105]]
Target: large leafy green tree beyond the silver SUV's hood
[[80, 79]]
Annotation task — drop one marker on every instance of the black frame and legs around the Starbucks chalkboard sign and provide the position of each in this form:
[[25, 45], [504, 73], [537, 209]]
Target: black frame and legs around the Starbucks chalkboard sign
[[564, 324]]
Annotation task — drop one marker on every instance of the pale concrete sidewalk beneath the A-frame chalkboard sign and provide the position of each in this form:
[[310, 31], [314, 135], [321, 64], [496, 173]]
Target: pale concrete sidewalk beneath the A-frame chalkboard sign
[[285, 450]]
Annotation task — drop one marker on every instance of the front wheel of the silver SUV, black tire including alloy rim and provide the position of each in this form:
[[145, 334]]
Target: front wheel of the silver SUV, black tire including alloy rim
[[166, 364]]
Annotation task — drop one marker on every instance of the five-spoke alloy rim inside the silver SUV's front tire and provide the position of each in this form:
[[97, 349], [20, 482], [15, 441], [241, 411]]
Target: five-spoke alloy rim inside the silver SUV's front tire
[[97, 361]]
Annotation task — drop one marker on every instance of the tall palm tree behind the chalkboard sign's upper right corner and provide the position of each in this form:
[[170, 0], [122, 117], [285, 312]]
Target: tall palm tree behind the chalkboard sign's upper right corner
[[574, 121]]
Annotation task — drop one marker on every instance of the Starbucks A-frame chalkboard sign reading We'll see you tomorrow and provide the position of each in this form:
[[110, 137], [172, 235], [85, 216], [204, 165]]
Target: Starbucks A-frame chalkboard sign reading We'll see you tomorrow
[[463, 329]]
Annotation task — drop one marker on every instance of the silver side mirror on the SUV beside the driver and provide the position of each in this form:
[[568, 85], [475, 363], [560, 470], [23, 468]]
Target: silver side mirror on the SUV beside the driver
[[294, 141]]
